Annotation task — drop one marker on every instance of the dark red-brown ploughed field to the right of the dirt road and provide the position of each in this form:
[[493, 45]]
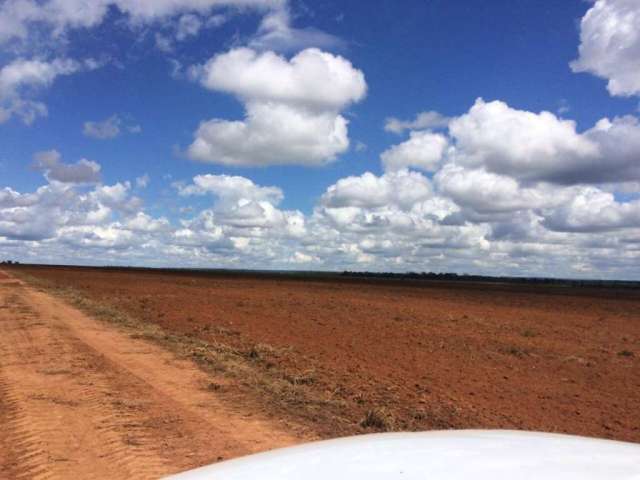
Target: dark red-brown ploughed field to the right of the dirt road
[[430, 356]]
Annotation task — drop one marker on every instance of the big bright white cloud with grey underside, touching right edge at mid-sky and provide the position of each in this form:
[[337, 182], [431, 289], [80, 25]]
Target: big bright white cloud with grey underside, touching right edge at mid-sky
[[527, 146]]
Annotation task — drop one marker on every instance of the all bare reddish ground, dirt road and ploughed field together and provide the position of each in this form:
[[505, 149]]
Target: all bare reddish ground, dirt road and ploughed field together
[[283, 360]]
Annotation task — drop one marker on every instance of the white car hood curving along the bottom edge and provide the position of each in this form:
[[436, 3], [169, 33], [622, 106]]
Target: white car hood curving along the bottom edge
[[445, 455]]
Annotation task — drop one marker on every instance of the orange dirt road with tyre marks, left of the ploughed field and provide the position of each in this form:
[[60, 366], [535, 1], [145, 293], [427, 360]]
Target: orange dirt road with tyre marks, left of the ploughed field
[[80, 399]]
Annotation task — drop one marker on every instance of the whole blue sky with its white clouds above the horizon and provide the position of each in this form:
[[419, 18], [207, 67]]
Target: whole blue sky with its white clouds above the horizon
[[495, 138]]
